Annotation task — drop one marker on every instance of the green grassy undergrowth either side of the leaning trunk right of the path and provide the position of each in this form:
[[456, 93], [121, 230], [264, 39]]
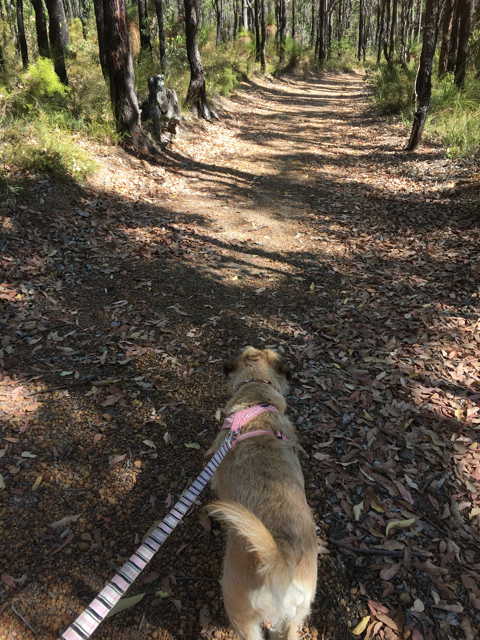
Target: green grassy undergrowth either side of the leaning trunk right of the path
[[454, 115]]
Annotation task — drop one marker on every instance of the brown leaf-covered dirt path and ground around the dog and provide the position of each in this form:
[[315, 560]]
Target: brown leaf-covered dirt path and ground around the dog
[[296, 222]]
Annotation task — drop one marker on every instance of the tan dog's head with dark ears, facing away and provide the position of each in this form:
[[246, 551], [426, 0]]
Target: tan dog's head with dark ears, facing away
[[258, 364]]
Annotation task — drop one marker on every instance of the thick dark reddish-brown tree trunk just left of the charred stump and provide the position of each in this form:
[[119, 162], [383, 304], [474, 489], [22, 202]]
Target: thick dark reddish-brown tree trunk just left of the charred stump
[[119, 65]]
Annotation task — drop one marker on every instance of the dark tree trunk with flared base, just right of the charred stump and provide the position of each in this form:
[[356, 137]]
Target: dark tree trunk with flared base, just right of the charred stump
[[197, 91]]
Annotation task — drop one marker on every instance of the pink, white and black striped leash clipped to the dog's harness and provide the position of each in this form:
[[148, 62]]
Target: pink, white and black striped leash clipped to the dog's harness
[[98, 609]]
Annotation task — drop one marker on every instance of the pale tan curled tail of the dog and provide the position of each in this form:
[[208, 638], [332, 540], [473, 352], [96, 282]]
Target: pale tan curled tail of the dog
[[258, 538]]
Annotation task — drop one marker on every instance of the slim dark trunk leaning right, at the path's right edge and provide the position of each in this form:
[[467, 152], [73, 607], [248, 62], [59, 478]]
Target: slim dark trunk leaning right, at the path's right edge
[[423, 84]]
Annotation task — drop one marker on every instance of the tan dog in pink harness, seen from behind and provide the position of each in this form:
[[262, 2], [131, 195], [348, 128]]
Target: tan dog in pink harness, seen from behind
[[270, 565]]
